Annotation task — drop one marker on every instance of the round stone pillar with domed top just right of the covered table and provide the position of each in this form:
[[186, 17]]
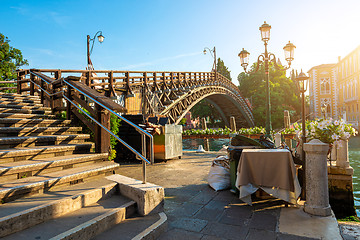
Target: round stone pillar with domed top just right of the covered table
[[317, 191]]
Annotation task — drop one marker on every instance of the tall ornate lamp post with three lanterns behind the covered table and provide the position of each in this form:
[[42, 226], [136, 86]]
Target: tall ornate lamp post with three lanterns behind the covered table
[[265, 58]]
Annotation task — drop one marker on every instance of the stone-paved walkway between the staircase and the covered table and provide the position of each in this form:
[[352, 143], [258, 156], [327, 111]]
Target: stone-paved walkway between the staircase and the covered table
[[195, 211]]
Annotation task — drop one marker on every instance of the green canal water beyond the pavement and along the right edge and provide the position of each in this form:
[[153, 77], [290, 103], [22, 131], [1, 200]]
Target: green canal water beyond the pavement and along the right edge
[[354, 158]]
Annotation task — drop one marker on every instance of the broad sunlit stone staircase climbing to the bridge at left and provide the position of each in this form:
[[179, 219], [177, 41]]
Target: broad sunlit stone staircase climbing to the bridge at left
[[52, 184]]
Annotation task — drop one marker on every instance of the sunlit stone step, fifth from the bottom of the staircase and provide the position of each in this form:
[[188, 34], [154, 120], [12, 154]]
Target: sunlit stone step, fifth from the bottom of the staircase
[[16, 170]]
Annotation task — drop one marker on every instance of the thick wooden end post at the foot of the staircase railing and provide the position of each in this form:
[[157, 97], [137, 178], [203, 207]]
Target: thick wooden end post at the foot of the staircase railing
[[102, 137]]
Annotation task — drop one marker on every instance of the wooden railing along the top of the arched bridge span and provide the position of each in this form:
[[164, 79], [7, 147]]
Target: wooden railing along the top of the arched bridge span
[[113, 82]]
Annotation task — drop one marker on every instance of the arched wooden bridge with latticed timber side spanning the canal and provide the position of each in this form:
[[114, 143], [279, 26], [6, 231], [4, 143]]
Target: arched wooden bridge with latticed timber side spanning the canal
[[170, 94]]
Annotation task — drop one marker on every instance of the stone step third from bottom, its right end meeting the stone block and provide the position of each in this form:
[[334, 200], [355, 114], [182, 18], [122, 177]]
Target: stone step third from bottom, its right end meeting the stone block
[[30, 211]]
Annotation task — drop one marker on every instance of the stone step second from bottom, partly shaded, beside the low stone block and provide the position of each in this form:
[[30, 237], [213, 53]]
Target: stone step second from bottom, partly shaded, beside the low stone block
[[84, 223]]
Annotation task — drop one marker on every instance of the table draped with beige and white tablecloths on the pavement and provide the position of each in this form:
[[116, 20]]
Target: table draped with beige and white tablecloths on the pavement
[[271, 170]]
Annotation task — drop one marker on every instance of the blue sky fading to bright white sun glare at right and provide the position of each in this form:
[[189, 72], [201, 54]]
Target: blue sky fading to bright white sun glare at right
[[159, 35]]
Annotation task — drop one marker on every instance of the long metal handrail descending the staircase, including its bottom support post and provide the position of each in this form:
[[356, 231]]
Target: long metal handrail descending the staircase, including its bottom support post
[[138, 129]]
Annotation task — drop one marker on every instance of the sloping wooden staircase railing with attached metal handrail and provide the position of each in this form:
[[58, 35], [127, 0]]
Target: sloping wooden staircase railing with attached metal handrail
[[88, 105]]
